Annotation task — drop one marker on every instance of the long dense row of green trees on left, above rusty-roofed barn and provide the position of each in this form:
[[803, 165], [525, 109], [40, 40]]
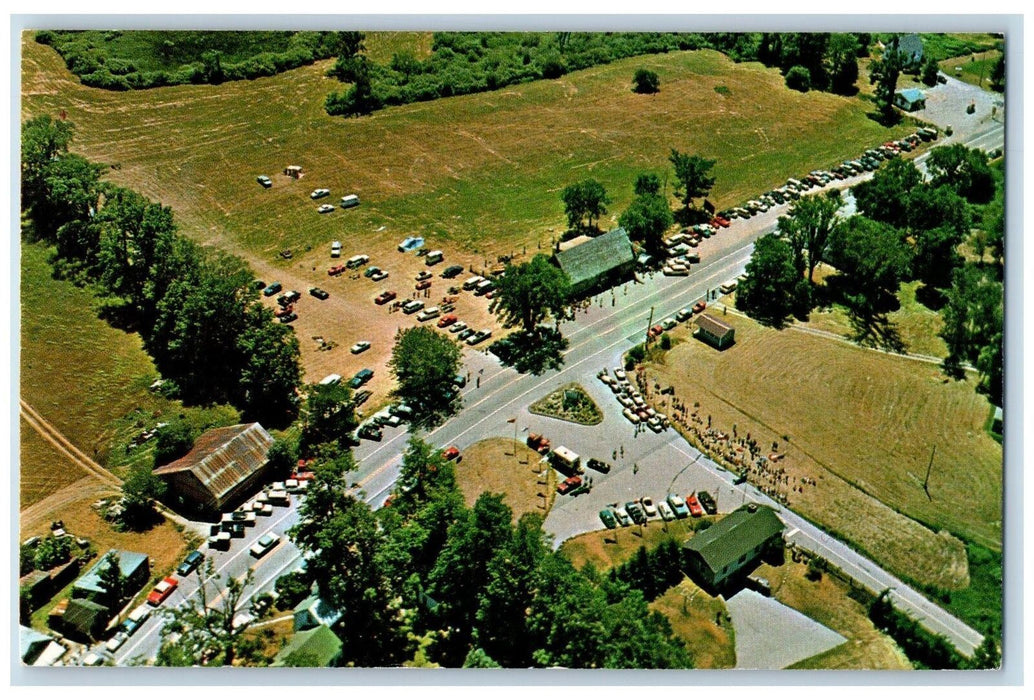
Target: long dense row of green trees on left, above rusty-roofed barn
[[197, 310]]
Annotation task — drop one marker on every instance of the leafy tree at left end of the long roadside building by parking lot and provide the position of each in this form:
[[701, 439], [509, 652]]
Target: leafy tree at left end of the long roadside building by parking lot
[[531, 293]]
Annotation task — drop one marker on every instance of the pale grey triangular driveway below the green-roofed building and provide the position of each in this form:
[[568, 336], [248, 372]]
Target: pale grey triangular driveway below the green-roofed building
[[772, 636]]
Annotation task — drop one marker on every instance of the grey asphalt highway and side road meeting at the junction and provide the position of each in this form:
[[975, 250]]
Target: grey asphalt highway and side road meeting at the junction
[[598, 338]]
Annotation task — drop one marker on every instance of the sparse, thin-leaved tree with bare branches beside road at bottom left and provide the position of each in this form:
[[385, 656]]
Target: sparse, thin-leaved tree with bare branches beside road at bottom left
[[204, 624]]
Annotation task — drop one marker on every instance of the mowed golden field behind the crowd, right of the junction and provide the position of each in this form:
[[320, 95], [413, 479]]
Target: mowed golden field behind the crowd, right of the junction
[[863, 425]]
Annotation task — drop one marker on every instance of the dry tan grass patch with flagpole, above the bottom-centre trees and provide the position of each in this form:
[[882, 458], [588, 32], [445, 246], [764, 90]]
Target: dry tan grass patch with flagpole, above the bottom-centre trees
[[491, 466]]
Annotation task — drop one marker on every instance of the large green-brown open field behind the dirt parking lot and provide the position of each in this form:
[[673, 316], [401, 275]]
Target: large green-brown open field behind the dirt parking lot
[[482, 171]]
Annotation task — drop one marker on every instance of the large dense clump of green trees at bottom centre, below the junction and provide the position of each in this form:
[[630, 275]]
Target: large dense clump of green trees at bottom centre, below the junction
[[480, 590]]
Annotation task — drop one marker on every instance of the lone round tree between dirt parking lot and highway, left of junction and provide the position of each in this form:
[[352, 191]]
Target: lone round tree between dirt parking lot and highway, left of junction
[[424, 363]]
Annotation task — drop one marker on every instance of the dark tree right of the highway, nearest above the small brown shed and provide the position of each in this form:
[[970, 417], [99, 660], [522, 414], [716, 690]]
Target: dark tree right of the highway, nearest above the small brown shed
[[768, 292]]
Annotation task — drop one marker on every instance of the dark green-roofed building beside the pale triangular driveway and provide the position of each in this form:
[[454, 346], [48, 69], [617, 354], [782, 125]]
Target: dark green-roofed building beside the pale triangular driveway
[[733, 545]]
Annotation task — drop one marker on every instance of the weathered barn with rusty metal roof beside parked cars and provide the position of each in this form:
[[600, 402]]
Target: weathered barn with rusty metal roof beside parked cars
[[223, 470]]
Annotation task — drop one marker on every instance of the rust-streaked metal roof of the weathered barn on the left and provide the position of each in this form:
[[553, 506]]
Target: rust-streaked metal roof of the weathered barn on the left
[[224, 458]]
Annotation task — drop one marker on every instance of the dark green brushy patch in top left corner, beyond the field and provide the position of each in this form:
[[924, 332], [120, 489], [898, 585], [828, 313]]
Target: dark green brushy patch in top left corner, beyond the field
[[136, 60]]
